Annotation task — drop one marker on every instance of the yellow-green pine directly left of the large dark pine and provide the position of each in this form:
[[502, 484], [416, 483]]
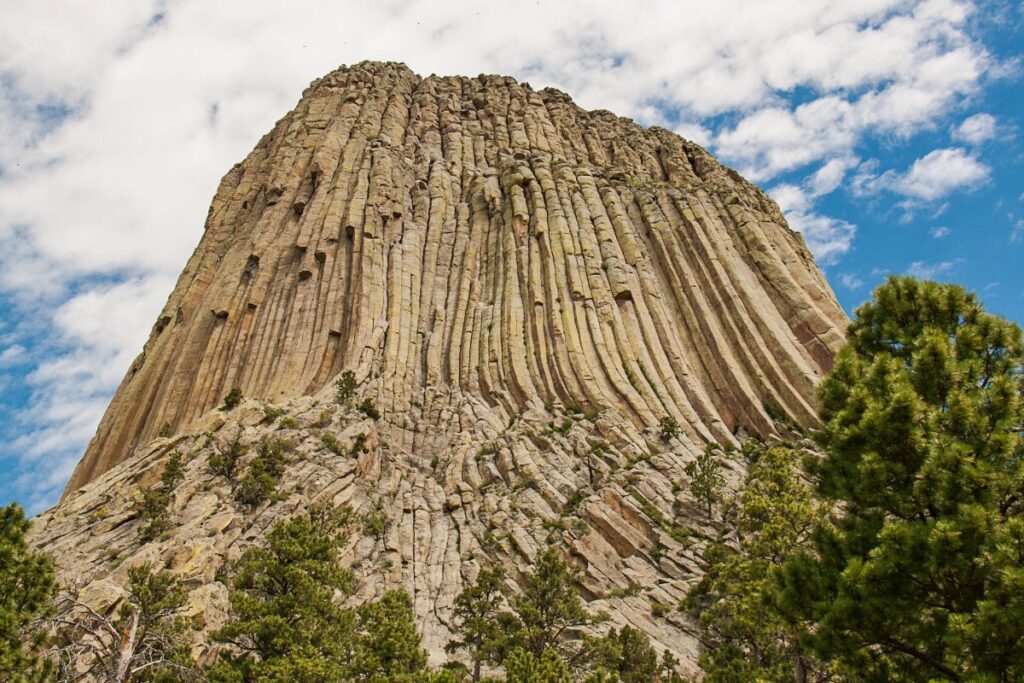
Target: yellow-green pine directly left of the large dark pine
[[745, 637]]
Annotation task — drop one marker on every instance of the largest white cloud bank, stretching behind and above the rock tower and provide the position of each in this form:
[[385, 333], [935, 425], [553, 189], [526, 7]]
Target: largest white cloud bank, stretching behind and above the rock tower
[[118, 191]]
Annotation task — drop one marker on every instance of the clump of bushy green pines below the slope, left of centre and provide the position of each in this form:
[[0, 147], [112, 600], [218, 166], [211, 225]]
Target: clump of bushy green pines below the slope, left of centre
[[288, 626]]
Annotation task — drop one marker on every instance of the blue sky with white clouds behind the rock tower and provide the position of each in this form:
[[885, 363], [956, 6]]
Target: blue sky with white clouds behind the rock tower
[[890, 133]]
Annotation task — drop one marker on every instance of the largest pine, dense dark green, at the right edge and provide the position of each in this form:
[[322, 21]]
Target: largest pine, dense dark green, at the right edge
[[919, 576]]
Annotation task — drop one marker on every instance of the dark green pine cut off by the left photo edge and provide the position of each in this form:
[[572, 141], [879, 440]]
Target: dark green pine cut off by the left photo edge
[[27, 586]]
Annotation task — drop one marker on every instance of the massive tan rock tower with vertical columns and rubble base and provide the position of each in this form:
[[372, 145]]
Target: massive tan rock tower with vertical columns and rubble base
[[524, 290]]
